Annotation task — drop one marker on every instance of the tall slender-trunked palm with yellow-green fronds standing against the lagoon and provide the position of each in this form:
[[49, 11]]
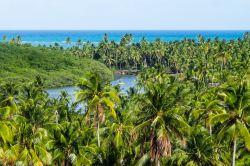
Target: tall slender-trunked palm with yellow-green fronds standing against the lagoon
[[99, 99]]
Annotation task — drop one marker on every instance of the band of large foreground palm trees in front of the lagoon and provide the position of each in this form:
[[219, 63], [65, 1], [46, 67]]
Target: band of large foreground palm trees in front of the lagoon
[[151, 126]]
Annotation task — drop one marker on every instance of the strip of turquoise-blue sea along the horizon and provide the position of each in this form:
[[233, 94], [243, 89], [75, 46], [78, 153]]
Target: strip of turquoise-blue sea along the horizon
[[50, 37]]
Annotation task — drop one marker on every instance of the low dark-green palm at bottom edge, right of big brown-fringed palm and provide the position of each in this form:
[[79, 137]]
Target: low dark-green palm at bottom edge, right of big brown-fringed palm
[[197, 150]]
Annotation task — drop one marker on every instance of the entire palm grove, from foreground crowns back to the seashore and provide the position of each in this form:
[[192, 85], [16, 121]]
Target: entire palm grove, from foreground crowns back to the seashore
[[191, 106]]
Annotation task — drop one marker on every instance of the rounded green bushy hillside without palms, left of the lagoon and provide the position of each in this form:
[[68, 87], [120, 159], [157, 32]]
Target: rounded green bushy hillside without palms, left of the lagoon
[[22, 63]]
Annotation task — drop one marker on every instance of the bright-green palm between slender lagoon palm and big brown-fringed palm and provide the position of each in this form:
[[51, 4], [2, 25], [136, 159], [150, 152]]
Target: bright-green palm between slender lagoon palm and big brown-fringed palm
[[117, 142]]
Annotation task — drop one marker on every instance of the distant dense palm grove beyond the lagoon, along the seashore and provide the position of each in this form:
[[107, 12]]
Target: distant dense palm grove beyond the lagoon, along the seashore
[[184, 56]]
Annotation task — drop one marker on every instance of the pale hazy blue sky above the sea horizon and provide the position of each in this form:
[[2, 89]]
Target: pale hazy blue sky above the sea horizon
[[124, 14]]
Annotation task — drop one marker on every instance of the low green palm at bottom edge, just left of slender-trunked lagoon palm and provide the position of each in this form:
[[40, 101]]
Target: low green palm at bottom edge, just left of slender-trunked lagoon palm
[[71, 144]]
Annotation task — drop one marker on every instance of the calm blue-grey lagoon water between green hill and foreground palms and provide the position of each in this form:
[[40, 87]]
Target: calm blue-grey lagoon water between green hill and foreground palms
[[125, 82]]
